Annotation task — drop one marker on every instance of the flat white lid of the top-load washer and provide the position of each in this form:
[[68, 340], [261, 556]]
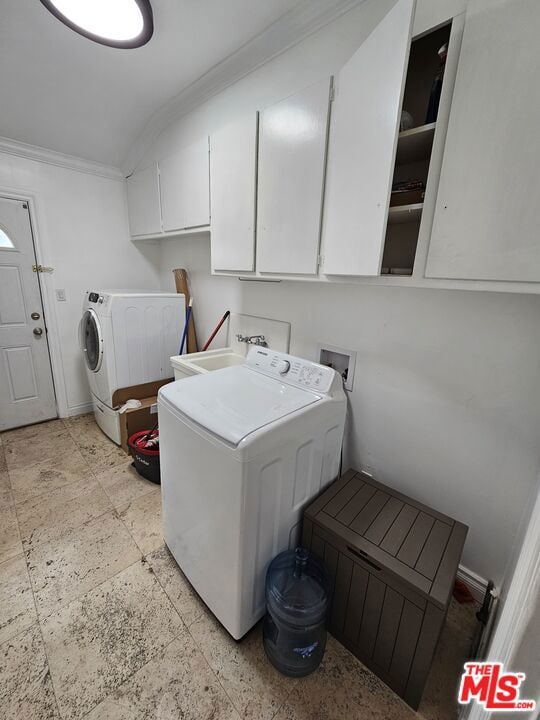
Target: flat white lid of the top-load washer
[[234, 402]]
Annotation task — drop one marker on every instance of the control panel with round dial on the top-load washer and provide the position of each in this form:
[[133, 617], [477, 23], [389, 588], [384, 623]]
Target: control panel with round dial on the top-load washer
[[291, 369]]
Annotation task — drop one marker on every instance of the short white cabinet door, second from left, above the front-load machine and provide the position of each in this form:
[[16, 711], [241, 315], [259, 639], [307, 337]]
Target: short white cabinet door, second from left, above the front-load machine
[[185, 187]]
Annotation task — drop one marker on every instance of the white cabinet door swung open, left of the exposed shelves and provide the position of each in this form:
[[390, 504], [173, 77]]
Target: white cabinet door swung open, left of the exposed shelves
[[361, 151]]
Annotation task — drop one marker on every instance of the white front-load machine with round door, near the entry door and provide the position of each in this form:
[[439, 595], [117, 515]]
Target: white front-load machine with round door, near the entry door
[[127, 338]]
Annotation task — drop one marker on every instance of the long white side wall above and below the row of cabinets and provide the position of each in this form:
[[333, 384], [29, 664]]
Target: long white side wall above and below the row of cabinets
[[446, 400]]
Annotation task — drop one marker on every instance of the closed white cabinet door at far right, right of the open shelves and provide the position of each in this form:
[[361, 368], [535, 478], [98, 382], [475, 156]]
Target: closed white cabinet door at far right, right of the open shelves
[[486, 216]]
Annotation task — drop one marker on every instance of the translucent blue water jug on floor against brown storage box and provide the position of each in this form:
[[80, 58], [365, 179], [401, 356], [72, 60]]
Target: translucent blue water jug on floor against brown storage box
[[297, 594]]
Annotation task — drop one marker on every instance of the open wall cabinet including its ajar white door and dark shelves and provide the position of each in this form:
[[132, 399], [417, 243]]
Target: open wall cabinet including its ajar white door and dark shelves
[[381, 184]]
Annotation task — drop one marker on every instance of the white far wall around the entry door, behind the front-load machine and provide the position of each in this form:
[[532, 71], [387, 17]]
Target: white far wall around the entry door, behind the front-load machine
[[82, 232]]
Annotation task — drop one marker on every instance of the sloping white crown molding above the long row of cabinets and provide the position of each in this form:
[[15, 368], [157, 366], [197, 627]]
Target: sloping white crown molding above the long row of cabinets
[[283, 34]]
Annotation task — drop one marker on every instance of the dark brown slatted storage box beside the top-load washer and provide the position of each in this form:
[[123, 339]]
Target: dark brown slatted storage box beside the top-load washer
[[393, 562]]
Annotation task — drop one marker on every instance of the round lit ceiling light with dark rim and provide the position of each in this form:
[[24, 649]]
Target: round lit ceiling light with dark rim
[[117, 23]]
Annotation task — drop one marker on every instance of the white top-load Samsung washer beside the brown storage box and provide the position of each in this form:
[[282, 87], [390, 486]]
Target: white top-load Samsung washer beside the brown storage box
[[243, 450]]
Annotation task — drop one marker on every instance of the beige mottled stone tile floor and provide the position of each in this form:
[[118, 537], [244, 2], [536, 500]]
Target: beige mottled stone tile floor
[[97, 621]]
